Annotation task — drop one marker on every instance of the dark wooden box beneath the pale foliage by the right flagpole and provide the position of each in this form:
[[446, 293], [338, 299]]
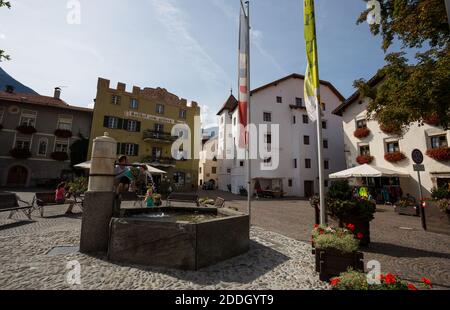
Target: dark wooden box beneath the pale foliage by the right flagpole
[[331, 263]]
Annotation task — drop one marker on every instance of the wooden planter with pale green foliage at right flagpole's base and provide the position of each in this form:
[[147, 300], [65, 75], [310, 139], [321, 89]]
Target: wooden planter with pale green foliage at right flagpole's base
[[336, 251]]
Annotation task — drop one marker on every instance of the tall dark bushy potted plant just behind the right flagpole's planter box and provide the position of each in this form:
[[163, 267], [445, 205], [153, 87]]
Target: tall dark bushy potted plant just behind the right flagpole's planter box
[[346, 209]]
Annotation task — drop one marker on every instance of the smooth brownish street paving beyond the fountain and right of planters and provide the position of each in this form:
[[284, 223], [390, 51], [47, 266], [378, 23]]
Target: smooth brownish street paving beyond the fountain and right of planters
[[398, 242]]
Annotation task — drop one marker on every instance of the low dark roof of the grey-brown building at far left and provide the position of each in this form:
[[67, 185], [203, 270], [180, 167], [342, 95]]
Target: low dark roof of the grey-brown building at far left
[[40, 100]]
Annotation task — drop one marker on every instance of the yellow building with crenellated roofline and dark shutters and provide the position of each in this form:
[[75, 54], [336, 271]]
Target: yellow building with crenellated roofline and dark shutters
[[142, 123]]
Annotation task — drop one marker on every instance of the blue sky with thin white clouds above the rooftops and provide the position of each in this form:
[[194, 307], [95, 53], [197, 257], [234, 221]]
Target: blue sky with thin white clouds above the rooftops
[[188, 47]]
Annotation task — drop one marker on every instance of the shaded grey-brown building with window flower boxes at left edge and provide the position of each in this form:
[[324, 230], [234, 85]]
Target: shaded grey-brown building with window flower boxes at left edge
[[36, 135]]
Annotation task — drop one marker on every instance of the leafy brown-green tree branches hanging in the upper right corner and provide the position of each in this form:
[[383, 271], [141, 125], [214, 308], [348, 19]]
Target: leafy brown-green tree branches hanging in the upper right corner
[[408, 91]]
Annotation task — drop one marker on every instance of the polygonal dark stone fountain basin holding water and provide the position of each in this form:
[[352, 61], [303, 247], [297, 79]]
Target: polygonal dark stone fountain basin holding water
[[187, 238]]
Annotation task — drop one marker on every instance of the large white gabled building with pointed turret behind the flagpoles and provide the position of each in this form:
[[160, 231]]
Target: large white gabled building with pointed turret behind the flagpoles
[[282, 102]]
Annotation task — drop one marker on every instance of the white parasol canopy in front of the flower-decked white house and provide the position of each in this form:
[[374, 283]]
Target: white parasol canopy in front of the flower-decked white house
[[367, 171]]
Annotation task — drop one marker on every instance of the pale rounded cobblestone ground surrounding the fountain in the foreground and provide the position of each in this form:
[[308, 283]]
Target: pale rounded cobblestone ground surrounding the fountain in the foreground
[[27, 262]]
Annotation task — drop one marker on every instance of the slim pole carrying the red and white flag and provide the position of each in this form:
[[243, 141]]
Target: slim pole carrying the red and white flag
[[249, 190]]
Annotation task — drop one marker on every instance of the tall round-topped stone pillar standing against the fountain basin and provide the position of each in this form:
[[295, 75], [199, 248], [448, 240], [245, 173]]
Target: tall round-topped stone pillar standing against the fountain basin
[[99, 200]]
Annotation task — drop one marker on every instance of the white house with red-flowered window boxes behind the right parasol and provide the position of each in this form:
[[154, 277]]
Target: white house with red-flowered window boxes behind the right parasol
[[378, 144]]
